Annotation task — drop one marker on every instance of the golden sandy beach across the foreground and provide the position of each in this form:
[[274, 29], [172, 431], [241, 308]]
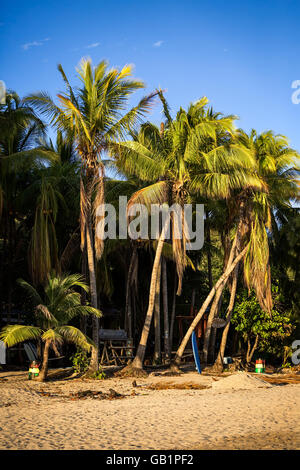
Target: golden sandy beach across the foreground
[[48, 416]]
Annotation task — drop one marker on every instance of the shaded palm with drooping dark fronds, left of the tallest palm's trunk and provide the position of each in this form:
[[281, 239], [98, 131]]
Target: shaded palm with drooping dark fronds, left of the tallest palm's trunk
[[53, 193]]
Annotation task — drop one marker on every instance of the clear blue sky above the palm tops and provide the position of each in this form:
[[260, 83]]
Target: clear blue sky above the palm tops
[[243, 55]]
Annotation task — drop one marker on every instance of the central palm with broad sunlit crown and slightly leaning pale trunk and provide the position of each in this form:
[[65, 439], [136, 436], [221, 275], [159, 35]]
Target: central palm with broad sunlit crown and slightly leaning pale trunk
[[192, 154]]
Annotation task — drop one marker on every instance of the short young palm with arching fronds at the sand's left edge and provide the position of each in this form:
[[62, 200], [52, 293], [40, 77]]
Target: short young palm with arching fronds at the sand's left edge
[[60, 305]]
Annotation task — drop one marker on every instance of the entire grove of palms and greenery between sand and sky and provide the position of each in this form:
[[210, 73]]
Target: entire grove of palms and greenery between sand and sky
[[246, 274]]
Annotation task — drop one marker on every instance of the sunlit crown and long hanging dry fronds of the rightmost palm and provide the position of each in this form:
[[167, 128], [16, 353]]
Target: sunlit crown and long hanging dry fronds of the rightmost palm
[[276, 168]]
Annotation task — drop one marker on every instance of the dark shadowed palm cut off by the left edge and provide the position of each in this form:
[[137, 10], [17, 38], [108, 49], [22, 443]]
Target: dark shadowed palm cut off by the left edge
[[19, 129]]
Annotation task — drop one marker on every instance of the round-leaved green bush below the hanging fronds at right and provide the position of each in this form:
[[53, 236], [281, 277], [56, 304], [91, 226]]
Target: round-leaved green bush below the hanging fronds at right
[[261, 330]]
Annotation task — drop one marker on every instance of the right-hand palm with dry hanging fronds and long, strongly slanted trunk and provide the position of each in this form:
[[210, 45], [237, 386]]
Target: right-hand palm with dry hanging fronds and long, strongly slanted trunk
[[253, 219]]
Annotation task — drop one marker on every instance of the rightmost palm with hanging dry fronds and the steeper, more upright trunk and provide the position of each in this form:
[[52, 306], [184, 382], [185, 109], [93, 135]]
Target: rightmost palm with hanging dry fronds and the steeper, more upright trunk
[[278, 168]]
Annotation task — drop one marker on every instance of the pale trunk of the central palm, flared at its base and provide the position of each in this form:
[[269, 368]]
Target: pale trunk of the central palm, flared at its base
[[140, 354]]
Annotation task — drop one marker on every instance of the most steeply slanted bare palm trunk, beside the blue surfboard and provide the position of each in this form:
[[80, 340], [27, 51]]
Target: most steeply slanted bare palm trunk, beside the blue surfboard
[[206, 303]]
